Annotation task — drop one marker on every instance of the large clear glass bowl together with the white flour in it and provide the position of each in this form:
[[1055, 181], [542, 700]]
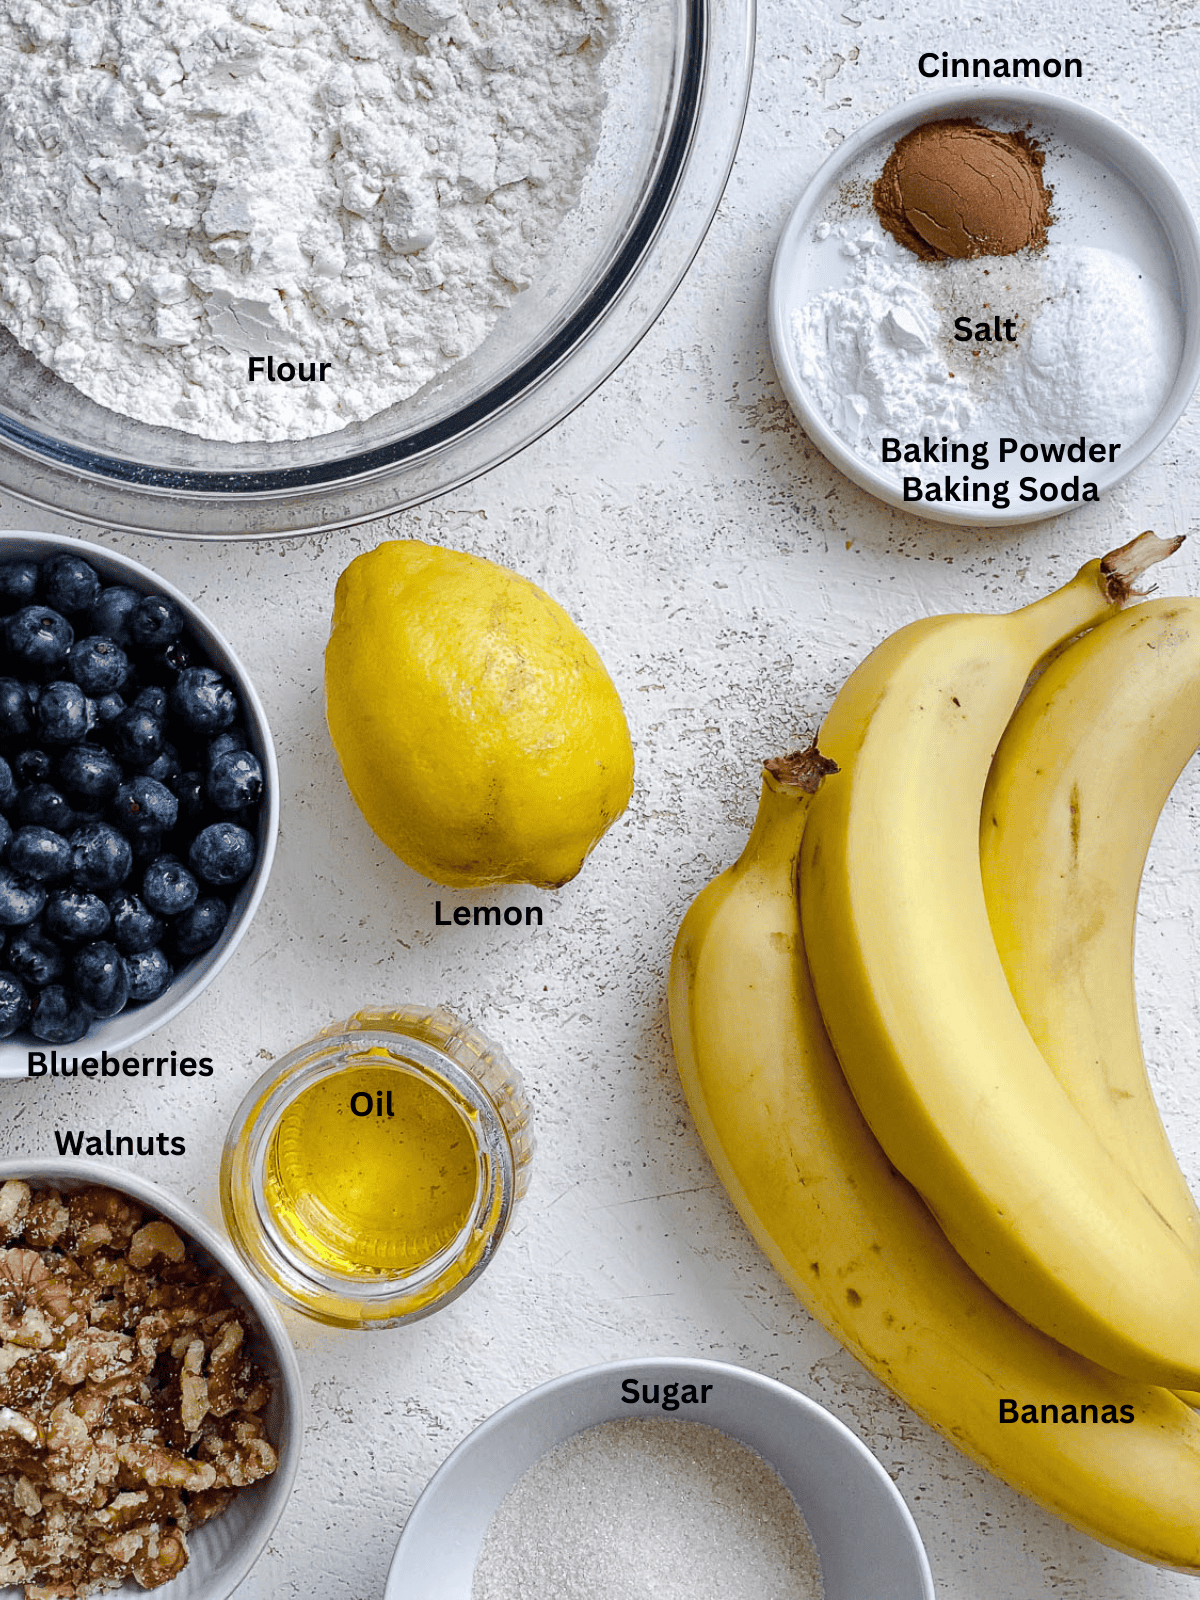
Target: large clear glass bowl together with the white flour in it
[[286, 265]]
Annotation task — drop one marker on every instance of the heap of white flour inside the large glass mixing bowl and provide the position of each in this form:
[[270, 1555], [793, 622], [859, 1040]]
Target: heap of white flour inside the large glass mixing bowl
[[367, 185]]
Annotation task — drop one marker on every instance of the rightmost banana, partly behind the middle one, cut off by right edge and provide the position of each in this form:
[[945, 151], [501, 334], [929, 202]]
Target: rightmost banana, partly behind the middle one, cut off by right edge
[[1070, 810]]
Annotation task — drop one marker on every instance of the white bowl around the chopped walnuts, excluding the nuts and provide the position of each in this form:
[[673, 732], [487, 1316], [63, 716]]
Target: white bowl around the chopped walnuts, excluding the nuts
[[222, 1551]]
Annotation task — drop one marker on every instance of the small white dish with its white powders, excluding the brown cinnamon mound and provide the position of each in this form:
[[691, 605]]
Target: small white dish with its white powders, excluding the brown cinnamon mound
[[999, 388]]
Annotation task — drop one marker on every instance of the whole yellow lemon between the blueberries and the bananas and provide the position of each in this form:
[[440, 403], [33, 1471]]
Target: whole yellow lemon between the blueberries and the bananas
[[476, 726]]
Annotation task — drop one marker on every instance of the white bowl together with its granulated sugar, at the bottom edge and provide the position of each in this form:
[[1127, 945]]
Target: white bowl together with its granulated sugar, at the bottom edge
[[692, 1473]]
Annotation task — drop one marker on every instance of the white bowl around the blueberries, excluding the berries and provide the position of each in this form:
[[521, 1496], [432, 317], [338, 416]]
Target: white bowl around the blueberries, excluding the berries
[[116, 1034]]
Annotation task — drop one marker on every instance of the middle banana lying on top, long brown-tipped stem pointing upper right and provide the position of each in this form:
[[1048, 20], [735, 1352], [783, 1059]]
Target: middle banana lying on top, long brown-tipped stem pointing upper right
[[921, 1014]]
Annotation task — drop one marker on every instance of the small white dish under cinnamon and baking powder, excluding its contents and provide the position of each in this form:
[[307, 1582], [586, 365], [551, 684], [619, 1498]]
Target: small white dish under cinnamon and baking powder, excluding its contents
[[1110, 191]]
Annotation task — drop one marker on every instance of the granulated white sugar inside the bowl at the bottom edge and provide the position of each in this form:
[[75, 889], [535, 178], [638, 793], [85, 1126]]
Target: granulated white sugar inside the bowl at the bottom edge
[[639, 1510]]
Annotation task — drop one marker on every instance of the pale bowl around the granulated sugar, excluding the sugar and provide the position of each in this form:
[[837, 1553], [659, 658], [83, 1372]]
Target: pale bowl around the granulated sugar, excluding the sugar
[[863, 1532]]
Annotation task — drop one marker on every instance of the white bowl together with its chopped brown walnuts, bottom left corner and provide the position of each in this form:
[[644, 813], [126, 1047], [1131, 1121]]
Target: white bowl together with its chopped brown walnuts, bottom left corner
[[150, 1396]]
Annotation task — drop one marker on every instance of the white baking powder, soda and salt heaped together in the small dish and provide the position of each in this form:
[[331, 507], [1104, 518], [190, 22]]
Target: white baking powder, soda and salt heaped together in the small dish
[[879, 354]]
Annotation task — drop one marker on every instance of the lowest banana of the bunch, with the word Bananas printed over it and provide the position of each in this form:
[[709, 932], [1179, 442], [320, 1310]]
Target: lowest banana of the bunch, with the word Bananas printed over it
[[860, 1249]]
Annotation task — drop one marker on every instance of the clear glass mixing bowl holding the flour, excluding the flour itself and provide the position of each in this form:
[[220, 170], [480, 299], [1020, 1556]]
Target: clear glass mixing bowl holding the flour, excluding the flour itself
[[678, 81]]
